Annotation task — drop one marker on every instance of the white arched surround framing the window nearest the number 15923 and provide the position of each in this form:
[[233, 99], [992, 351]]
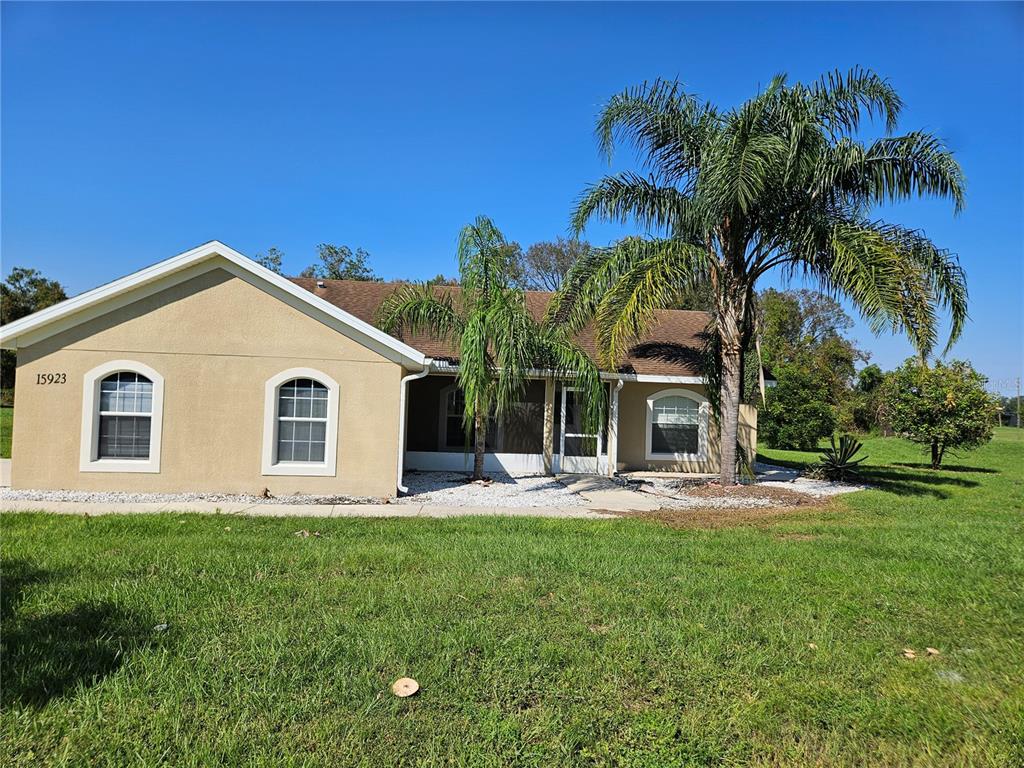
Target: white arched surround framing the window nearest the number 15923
[[90, 460]]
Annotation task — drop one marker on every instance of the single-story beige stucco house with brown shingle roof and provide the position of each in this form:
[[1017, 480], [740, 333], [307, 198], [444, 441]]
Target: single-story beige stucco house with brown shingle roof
[[209, 373]]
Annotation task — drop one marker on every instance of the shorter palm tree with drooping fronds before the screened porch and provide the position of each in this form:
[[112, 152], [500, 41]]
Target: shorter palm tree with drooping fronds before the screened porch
[[499, 343]]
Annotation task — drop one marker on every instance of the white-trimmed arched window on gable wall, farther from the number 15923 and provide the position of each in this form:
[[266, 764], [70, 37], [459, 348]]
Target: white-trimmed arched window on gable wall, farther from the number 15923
[[301, 429]]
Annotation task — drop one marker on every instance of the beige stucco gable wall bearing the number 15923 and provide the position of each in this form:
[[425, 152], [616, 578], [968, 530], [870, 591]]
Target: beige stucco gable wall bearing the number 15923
[[217, 340]]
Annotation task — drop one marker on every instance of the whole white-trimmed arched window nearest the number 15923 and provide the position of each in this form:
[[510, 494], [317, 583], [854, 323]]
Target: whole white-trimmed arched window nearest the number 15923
[[122, 412]]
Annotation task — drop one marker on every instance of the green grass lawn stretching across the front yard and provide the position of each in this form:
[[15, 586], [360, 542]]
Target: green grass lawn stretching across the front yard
[[536, 643]]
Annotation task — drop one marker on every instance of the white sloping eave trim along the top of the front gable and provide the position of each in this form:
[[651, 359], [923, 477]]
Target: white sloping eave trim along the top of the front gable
[[208, 257]]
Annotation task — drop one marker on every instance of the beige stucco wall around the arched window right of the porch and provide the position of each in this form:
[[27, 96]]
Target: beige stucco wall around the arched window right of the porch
[[633, 432]]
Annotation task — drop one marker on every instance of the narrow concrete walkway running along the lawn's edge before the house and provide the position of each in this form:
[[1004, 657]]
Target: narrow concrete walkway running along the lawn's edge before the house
[[300, 510]]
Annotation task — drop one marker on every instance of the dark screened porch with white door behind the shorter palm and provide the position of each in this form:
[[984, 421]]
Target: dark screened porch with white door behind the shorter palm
[[437, 439]]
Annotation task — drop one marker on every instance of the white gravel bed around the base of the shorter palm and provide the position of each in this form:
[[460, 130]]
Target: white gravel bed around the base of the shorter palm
[[454, 490]]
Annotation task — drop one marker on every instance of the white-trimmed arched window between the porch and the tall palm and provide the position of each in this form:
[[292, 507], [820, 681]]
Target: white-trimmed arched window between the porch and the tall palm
[[677, 425]]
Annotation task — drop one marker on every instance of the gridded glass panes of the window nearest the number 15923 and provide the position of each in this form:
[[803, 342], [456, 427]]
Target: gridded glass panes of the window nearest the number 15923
[[125, 416]]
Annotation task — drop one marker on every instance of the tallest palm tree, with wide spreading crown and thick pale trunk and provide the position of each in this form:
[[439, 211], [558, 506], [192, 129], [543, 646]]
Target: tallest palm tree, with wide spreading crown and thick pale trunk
[[781, 182]]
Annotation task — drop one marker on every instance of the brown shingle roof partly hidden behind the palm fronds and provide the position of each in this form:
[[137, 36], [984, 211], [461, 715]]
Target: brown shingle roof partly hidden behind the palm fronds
[[672, 348]]
